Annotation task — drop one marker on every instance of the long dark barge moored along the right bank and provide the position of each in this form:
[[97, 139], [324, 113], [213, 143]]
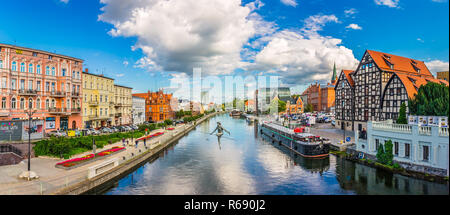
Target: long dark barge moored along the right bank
[[305, 144]]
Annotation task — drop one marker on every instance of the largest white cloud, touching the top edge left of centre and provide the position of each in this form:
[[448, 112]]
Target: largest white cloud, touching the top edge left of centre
[[180, 35]]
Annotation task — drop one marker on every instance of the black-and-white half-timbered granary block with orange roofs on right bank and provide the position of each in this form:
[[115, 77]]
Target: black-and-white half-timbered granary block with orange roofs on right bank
[[381, 82]]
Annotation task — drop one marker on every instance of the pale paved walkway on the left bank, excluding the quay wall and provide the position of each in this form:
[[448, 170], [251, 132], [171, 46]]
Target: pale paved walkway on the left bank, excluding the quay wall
[[52, 178]]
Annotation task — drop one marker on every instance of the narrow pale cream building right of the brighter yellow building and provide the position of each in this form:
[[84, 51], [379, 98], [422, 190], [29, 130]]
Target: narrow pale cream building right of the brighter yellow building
[[122, 105]]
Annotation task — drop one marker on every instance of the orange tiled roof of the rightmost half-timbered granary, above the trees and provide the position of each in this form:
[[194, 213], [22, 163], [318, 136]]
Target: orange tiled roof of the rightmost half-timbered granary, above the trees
[[413, 82]]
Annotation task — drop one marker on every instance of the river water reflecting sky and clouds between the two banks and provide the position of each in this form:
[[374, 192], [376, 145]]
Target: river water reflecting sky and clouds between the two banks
[[246, 163]]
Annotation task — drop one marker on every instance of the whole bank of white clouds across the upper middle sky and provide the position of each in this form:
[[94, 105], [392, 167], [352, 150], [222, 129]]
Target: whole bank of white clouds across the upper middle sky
[[222, 36]]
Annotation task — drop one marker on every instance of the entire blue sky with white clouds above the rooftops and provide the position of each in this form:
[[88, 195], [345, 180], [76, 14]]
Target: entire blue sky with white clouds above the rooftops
[[145, 44]]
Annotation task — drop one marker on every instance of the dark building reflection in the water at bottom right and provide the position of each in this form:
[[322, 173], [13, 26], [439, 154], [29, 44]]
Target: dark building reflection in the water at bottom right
[[367, 180]]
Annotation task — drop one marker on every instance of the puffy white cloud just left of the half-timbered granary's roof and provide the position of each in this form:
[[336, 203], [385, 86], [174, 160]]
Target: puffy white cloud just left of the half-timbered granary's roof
[[305, 56]]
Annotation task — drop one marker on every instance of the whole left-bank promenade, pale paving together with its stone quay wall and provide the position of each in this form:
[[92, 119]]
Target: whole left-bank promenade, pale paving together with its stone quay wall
[[85, 178]]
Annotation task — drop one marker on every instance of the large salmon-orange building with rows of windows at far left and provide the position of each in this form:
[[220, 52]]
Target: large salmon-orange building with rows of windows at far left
[[46, 82]]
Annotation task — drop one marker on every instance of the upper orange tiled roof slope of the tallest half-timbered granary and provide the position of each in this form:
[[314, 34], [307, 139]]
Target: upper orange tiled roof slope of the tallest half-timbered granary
[[400, 64]]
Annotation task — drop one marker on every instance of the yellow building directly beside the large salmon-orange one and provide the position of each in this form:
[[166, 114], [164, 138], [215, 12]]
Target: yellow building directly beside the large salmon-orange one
[[98, 100]]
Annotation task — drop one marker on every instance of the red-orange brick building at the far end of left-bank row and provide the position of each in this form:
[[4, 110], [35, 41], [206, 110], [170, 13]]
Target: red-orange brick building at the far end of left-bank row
[[158, 105]]
